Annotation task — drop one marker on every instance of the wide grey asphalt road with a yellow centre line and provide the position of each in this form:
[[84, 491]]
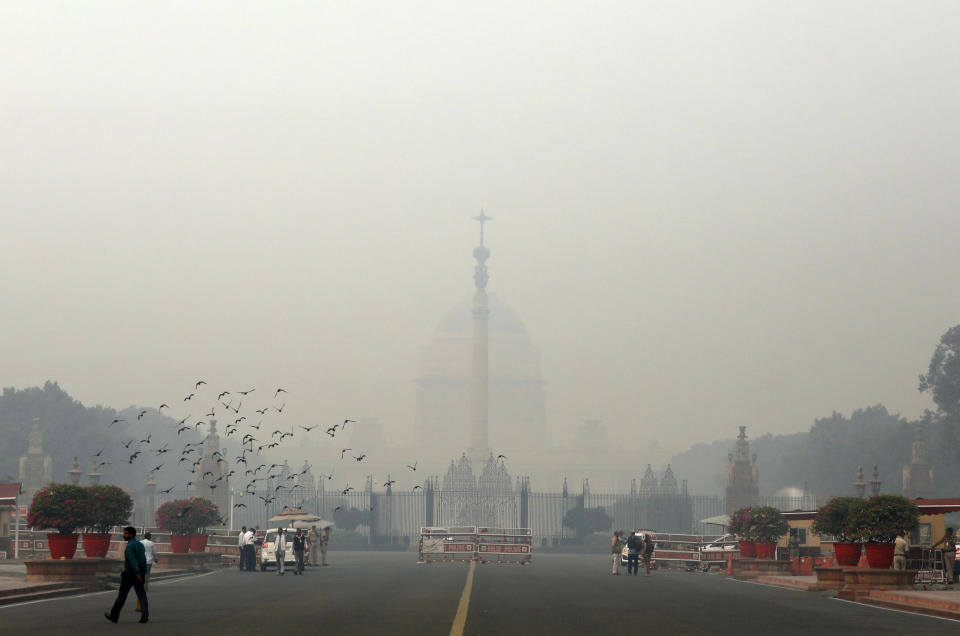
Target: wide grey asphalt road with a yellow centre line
[[389, 593]]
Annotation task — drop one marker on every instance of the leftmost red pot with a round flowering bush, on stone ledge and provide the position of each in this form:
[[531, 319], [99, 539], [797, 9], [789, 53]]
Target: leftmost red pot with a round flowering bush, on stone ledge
[[62, 507]]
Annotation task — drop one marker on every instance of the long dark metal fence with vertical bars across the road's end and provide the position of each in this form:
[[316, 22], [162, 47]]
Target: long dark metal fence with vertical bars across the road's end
[[386, 517]]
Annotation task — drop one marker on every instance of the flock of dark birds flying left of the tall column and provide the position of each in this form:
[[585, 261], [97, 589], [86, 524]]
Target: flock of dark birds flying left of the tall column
[[251, 443]]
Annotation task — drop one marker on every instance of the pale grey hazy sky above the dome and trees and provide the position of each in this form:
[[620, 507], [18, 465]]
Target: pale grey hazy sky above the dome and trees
[[708, 214]]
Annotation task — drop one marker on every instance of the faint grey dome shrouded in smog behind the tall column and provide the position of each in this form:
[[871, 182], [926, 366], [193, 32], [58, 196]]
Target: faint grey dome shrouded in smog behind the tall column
[[517, 418]]
